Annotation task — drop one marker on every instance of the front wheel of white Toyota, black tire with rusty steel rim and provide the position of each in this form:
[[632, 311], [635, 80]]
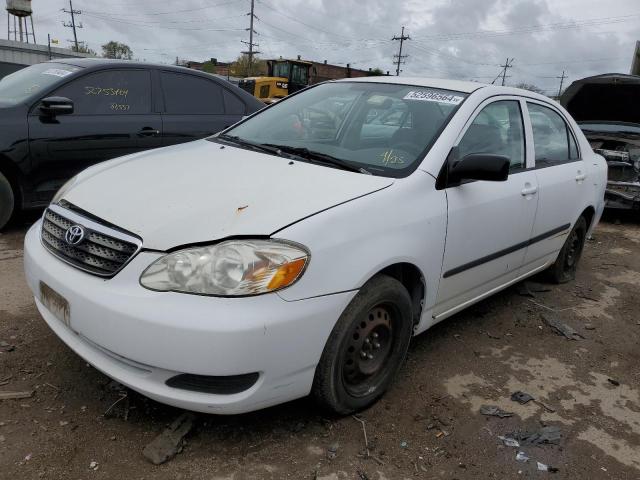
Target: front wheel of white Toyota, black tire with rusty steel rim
[[366, 347]]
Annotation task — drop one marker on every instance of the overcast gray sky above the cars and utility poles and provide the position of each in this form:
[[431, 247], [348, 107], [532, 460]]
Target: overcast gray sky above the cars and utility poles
[[463, 39]]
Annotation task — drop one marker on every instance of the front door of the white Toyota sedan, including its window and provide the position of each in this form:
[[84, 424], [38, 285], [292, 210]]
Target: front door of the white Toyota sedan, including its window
[[489, 223]]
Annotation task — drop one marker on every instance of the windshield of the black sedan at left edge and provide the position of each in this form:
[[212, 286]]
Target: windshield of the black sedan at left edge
[[20, 85]]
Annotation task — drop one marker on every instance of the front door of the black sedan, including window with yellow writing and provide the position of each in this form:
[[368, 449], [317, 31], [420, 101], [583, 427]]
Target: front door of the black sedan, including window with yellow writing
[[112, 117]]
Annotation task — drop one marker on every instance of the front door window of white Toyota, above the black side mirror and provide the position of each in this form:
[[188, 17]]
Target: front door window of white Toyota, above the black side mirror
[[497, 130]]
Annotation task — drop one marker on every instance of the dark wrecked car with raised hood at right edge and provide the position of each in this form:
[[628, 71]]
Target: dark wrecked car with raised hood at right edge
[[607, 108]]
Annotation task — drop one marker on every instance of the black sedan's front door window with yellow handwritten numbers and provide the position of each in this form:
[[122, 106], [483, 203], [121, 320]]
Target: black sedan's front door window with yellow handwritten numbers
[[110, 92]]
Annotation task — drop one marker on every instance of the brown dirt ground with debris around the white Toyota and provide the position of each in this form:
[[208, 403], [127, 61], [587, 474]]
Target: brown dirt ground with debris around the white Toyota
[[428, 426]]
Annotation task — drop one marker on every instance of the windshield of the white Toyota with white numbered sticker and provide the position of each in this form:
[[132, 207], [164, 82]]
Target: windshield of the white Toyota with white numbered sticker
[[378, 128]]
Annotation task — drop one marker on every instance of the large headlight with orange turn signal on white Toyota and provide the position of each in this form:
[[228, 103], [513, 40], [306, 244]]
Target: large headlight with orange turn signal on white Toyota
[[231, 268]]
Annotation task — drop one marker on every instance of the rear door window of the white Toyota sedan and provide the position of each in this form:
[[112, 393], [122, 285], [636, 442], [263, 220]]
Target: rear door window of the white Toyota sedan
[[552, 139]]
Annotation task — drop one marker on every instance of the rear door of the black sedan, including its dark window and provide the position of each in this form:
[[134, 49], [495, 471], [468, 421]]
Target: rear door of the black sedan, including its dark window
[[196, 107]]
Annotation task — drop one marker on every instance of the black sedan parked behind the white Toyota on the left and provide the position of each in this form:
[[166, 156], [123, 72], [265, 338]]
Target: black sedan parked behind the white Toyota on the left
[[59, 117]]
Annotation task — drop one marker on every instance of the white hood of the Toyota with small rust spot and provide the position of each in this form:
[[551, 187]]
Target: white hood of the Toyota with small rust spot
[[204, 191]]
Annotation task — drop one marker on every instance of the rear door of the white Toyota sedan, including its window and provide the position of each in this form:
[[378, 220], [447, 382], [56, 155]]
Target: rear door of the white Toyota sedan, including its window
[[563, 184]]
